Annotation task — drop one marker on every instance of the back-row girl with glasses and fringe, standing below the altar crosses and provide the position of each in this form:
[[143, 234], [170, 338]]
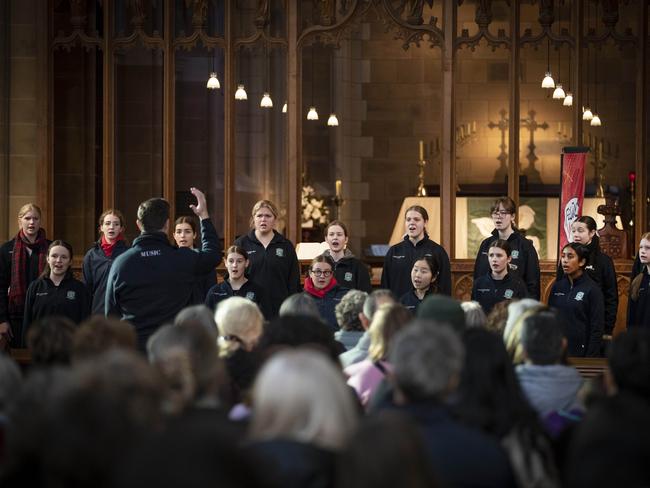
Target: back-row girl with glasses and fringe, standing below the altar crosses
[[524, 261]]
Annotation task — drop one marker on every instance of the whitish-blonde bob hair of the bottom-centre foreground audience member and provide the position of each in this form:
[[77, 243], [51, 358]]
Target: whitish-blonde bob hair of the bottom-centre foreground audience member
[[301, 395]]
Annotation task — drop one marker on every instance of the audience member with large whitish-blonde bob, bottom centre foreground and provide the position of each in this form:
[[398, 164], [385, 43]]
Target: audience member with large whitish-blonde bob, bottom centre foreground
[[303, 414]]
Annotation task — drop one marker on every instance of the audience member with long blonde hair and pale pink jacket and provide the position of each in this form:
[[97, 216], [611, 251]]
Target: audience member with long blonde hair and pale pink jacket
[[366, 376]]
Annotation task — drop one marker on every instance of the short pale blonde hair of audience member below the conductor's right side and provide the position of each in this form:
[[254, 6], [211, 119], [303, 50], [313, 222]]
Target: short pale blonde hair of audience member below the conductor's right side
[[239, 321]]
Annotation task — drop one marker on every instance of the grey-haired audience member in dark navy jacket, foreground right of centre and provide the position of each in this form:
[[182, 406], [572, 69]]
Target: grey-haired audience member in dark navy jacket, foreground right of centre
[[427, 359]]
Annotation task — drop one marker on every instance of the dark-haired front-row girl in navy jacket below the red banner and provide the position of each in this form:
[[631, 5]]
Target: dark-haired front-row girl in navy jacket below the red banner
[[580, 302]]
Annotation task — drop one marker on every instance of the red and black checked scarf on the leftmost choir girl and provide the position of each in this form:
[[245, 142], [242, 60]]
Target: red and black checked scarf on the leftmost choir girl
[[19, 272]]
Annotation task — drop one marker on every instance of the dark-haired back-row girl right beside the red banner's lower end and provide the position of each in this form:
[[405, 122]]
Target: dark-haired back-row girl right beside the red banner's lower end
[[599, 267]]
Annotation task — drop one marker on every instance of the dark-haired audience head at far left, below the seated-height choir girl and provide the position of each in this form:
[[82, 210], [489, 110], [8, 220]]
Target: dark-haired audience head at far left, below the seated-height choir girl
[[49, 340]]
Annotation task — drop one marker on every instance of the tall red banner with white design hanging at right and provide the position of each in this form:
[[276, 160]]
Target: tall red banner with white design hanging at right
[[573, 192]]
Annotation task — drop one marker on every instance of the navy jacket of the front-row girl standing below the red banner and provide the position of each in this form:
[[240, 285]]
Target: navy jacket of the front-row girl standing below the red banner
[[582, 306]]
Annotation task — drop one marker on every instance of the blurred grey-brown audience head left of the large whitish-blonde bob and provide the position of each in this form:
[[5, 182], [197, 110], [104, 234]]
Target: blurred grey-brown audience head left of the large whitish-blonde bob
[[188, 359]]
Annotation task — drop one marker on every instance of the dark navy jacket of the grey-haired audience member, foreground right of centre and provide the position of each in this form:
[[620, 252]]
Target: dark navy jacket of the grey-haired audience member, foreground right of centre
[[460, 456]]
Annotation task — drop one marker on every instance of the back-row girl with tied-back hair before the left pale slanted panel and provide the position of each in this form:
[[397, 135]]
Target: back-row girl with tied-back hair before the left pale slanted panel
[[400, 258]]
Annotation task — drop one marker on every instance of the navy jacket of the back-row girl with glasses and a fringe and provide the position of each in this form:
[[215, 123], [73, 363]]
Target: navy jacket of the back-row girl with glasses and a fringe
[[524, 264]]
